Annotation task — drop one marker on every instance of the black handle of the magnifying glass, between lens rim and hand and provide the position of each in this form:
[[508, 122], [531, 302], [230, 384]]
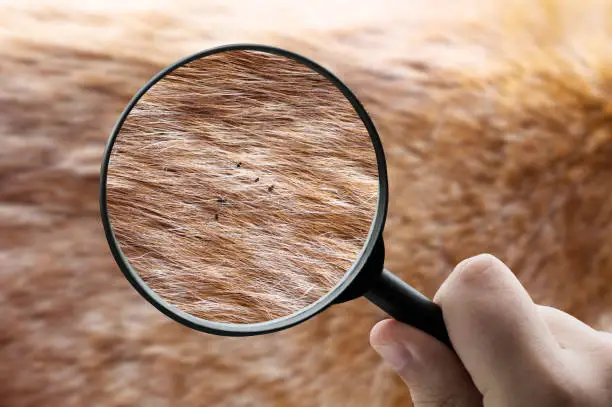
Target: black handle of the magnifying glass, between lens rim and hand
[[407, 305]]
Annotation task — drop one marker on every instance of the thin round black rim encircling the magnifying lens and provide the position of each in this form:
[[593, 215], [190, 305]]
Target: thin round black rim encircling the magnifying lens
[[228, 329]]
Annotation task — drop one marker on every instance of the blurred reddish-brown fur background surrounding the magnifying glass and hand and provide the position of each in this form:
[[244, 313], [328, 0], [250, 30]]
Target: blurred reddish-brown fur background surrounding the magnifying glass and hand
[[496, 117]]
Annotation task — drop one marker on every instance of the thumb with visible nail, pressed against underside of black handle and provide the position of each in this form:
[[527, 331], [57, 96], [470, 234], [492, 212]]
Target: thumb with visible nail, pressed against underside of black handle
[[433, 373]]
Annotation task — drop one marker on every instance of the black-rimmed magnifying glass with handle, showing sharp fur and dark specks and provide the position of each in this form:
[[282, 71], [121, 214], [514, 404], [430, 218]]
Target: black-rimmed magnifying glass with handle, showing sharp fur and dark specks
[[244, 190]]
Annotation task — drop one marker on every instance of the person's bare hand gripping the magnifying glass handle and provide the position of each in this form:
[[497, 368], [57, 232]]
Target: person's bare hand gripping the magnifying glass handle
[[510, 352]]
